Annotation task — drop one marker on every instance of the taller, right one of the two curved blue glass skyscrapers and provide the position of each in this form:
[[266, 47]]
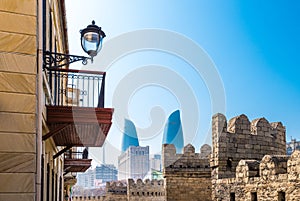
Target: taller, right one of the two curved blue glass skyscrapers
[[173, 131]]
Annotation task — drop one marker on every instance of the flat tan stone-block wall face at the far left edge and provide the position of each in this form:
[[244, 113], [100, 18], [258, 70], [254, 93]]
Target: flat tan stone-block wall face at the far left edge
[[20, 129]]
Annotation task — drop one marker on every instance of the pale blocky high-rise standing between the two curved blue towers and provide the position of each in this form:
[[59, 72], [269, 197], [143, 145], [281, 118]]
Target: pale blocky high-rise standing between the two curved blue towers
[[133, 163]]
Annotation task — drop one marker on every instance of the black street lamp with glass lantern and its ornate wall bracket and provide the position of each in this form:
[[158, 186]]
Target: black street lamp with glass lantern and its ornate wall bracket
[[91, 42]]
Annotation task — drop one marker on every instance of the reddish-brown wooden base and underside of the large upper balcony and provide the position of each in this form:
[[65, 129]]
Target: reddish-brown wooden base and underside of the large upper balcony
[[79, 126]]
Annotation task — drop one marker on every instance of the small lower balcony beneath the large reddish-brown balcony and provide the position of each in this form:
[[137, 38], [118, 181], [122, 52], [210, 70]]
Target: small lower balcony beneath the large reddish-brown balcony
[[76, 162]]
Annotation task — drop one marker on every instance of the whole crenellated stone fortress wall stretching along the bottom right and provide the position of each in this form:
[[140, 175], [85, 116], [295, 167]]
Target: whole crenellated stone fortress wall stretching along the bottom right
[[248, 162]]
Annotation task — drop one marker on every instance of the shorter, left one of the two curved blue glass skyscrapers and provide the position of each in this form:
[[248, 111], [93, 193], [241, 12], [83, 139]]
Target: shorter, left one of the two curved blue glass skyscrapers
[[129, 136]]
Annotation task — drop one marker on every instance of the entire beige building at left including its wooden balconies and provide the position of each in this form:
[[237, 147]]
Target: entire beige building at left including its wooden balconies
[[36, 162]]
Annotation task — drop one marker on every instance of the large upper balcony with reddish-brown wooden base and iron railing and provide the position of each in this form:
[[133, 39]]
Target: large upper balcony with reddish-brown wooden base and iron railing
[[75, 111]]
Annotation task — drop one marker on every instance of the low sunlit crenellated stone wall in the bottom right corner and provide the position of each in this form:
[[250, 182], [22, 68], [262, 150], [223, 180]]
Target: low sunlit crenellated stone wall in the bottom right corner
[[265, 177]]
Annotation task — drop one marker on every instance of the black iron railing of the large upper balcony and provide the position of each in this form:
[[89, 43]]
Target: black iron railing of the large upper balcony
[[76, 87]]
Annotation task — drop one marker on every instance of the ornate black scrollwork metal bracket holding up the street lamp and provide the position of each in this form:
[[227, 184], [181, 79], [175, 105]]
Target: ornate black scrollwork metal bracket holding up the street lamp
[[56, 60]]
